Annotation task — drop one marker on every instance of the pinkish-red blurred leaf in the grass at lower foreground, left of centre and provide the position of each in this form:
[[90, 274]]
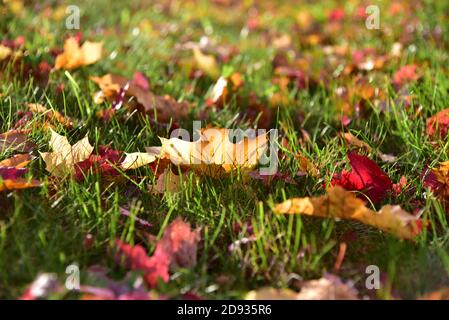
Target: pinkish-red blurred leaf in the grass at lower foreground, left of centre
[[177, 247]]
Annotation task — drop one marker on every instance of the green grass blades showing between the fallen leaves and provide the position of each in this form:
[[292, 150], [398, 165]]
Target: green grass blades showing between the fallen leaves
[[43, 230]]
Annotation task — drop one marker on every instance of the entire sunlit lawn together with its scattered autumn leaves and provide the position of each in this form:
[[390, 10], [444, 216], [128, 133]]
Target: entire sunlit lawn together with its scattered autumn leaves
[[356, 106]]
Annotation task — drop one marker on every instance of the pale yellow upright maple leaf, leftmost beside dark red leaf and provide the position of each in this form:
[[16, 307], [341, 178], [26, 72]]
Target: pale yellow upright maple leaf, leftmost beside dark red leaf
[[64, 156]]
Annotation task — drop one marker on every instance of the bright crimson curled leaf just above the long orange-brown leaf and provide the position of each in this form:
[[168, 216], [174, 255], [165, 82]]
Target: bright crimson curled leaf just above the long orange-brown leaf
[[366, 176]]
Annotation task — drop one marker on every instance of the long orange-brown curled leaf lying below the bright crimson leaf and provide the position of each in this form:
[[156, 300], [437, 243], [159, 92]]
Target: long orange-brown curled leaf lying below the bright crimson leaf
[[339, 203]]
